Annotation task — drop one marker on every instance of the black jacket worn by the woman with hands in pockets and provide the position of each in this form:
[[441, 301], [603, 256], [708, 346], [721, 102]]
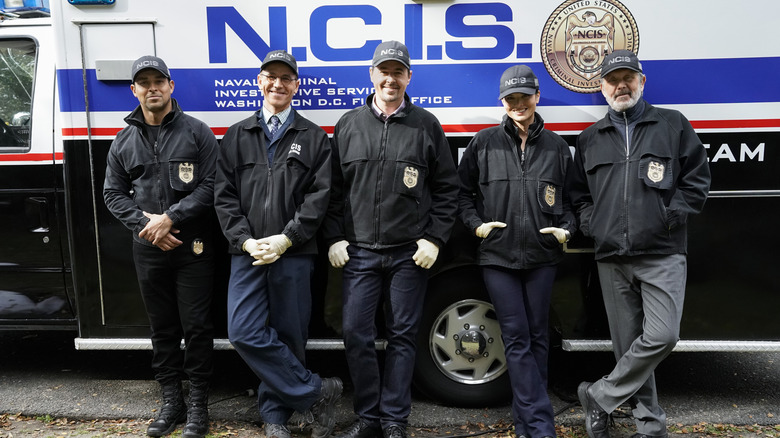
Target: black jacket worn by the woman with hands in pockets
[[525, 191]]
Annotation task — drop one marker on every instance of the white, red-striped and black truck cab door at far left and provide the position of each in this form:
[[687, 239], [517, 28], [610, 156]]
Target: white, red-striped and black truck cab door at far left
[[33, 273]]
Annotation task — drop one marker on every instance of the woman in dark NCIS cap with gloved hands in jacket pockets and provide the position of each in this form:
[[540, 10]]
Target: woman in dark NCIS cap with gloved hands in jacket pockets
[[522, 239]]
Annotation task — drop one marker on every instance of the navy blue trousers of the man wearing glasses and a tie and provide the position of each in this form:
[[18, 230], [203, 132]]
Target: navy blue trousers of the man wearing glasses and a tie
[[269, 308]]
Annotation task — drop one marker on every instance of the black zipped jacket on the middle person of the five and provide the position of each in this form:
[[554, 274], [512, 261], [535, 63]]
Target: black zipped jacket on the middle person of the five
[[394, 182]]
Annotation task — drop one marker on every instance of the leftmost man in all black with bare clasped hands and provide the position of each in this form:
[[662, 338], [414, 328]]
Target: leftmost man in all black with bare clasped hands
[[160, 184]]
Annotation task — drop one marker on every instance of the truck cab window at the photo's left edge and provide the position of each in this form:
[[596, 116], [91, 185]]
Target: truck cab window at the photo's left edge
[[17, 70]]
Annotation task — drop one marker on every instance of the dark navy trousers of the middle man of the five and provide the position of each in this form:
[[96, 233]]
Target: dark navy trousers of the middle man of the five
[[373, 277]]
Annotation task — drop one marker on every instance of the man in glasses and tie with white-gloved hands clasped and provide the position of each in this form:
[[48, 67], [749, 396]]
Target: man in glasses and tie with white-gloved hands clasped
[[271, 194]]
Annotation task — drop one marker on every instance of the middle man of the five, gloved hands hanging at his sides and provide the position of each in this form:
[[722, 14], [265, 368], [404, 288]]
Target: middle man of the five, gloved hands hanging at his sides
[[393, 204]]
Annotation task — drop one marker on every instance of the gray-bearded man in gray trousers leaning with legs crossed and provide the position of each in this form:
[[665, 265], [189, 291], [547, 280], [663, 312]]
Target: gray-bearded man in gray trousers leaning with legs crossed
[[638, 174]]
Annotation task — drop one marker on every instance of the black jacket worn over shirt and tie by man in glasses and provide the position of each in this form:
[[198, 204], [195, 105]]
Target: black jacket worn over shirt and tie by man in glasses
[[255, 200]]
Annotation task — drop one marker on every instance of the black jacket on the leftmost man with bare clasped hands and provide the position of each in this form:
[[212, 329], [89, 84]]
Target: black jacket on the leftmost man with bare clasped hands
[[174, 176]]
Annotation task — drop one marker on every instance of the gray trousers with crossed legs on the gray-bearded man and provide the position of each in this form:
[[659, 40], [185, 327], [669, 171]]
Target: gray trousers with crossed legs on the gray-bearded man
[[643, 296]]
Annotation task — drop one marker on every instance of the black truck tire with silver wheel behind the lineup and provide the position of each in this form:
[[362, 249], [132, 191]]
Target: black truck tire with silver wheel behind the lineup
[[460, 355]]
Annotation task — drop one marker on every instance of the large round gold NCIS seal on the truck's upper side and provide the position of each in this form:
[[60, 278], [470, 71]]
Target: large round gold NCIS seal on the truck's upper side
[[577, 37]]
